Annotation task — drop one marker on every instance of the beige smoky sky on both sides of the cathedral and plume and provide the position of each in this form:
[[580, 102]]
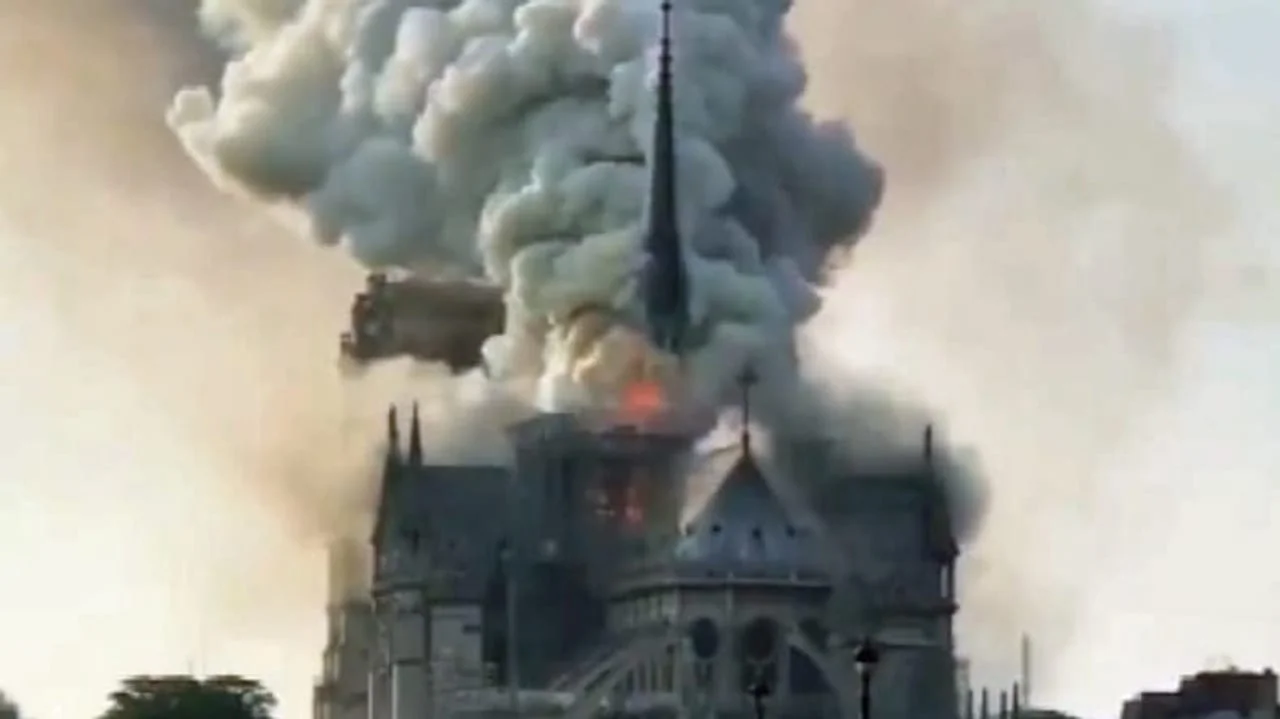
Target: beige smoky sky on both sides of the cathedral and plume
[[1043, 271]]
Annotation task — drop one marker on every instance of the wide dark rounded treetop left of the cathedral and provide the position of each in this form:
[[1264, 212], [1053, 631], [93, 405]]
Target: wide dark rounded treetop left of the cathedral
[[189, 698]]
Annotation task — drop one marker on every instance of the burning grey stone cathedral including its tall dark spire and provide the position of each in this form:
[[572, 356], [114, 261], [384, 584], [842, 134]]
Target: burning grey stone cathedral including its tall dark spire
[[615, 569]]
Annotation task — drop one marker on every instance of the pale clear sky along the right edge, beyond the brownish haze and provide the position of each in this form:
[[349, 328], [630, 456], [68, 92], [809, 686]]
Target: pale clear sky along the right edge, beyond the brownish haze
[[1213, 451]]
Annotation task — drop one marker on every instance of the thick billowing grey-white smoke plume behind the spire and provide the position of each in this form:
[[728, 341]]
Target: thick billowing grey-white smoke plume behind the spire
[[504, 140]]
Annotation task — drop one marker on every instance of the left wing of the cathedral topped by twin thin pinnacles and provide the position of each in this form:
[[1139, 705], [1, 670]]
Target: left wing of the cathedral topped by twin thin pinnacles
[[435, 557]]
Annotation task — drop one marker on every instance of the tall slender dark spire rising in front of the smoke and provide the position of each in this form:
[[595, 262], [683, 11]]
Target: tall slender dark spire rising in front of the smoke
[[666, 283]]
